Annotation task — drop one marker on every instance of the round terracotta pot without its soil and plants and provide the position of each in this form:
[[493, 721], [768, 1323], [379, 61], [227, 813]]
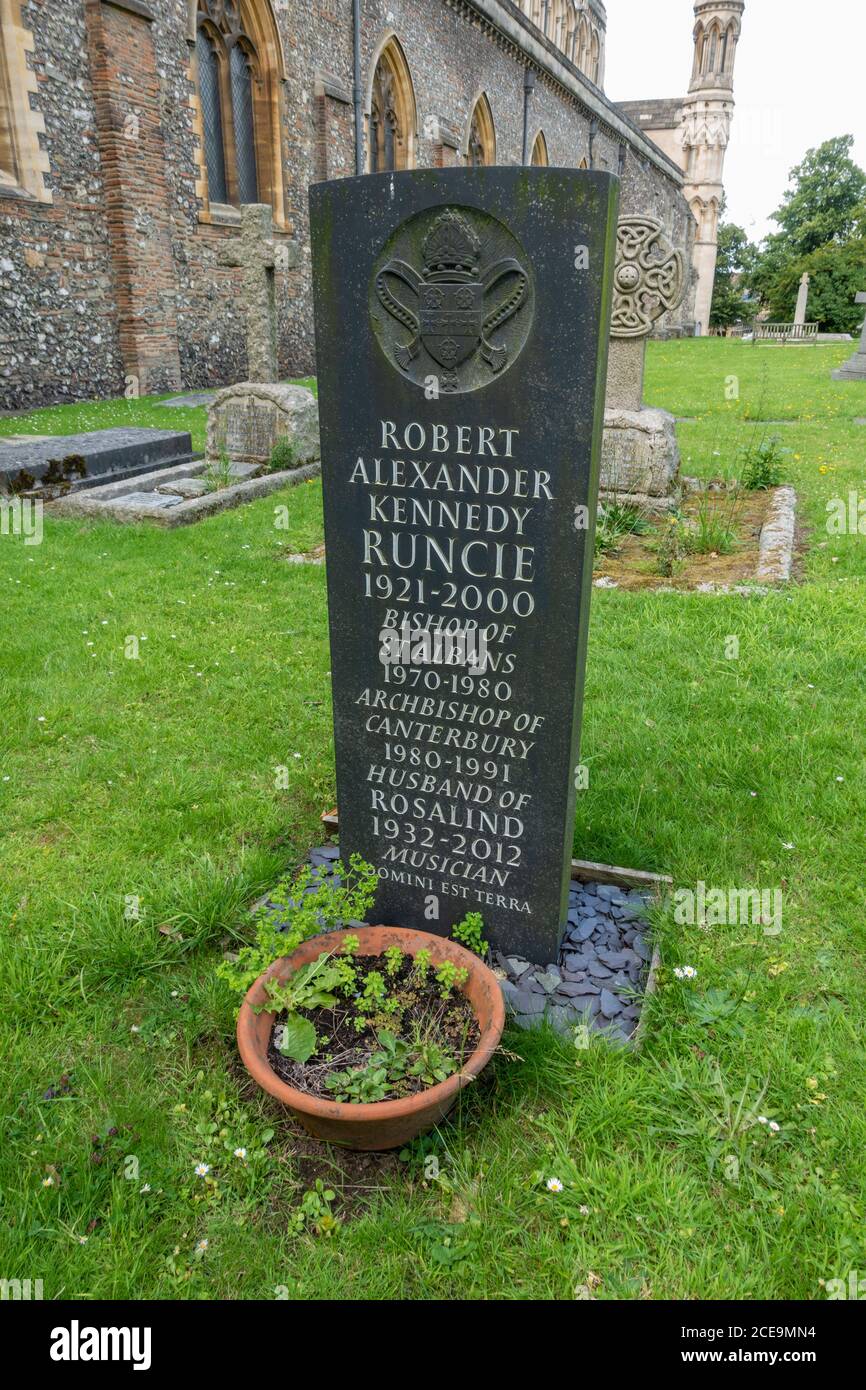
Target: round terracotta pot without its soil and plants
[[383, 1124]]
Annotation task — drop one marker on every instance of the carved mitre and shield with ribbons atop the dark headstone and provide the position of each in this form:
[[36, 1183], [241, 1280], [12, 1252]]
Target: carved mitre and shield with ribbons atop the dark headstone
[[455, 304]]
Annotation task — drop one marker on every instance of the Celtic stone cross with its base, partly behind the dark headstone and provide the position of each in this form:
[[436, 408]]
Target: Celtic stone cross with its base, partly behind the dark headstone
[[640, 454]]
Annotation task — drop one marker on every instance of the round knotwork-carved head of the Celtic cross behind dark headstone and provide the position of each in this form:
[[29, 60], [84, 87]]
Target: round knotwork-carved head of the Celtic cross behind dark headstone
[[648, 279]]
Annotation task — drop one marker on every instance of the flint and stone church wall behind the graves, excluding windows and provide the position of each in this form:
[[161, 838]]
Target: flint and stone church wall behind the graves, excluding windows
[[73, 301]]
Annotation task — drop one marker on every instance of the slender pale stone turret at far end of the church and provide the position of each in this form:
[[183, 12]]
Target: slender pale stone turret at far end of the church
[[704, 136]]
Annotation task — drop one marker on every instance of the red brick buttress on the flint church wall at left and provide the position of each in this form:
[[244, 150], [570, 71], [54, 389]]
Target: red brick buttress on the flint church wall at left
[[133, 158]]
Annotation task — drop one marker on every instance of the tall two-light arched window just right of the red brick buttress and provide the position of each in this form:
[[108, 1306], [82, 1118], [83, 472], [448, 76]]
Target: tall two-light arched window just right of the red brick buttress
[[238, 63]]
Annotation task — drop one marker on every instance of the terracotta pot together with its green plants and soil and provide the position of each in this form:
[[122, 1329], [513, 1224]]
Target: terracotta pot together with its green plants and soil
[[366, 1035]]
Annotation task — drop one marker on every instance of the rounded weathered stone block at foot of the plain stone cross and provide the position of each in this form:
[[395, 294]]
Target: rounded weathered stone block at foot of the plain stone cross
[[247, 420]]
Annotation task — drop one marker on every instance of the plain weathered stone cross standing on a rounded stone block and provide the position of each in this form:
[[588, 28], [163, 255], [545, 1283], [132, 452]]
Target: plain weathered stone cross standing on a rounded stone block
[[259, 258]]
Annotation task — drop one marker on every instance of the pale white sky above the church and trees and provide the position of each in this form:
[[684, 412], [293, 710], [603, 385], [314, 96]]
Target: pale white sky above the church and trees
[[800, 79]]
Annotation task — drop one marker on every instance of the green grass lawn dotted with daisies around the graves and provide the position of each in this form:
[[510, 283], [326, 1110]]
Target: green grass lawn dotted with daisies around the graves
[[140, 815]]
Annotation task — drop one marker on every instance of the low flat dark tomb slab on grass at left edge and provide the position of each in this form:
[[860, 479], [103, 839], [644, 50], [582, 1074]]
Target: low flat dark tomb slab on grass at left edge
[[85, 461]]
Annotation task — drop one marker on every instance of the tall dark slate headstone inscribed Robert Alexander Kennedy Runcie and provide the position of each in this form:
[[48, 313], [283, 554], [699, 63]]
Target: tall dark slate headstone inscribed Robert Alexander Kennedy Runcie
[[462, 330]]
